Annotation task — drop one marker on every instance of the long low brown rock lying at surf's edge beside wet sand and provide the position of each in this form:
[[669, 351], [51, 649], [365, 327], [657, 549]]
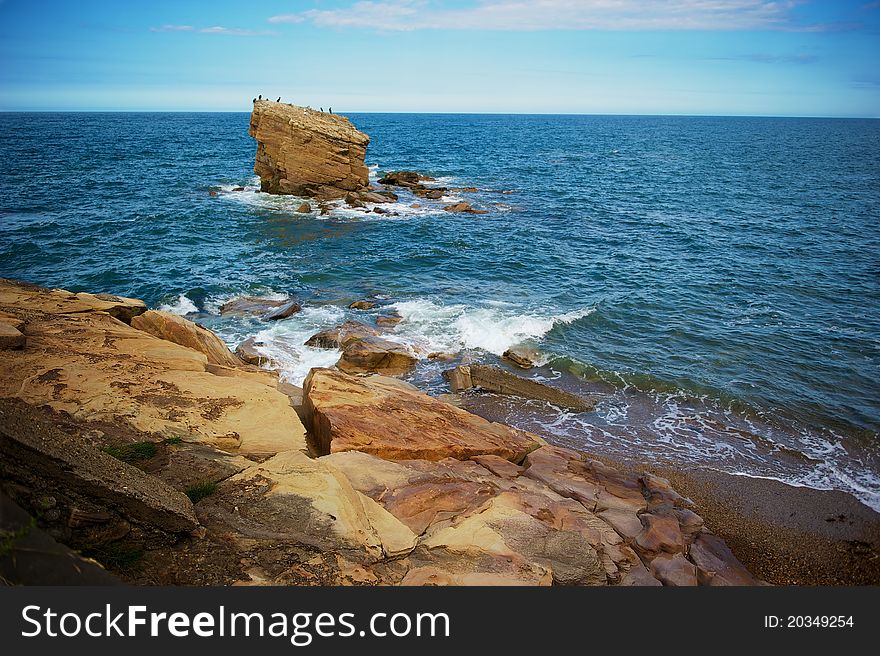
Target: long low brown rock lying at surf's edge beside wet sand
[[494, 379]]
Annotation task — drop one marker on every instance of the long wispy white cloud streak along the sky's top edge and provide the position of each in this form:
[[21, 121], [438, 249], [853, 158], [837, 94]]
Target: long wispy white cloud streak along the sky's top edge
[[534, 15]]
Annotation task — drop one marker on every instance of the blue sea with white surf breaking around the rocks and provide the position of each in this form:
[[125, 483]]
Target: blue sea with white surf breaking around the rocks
[[716, 281]]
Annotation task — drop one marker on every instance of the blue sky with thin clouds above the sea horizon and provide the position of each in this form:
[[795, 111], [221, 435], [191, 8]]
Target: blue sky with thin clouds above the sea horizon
[[793, 58]]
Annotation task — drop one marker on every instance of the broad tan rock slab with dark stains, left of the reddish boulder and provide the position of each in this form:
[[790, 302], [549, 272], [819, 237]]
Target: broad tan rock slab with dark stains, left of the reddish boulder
[[96, 368]]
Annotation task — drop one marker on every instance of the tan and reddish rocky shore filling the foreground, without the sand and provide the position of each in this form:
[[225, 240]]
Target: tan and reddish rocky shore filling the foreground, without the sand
[[137, 438]]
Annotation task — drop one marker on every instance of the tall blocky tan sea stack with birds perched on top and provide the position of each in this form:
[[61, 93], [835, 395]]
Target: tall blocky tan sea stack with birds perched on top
[[304, 152]]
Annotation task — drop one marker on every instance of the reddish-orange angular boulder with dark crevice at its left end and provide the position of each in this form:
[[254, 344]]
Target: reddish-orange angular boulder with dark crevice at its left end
[[389, 419]]
